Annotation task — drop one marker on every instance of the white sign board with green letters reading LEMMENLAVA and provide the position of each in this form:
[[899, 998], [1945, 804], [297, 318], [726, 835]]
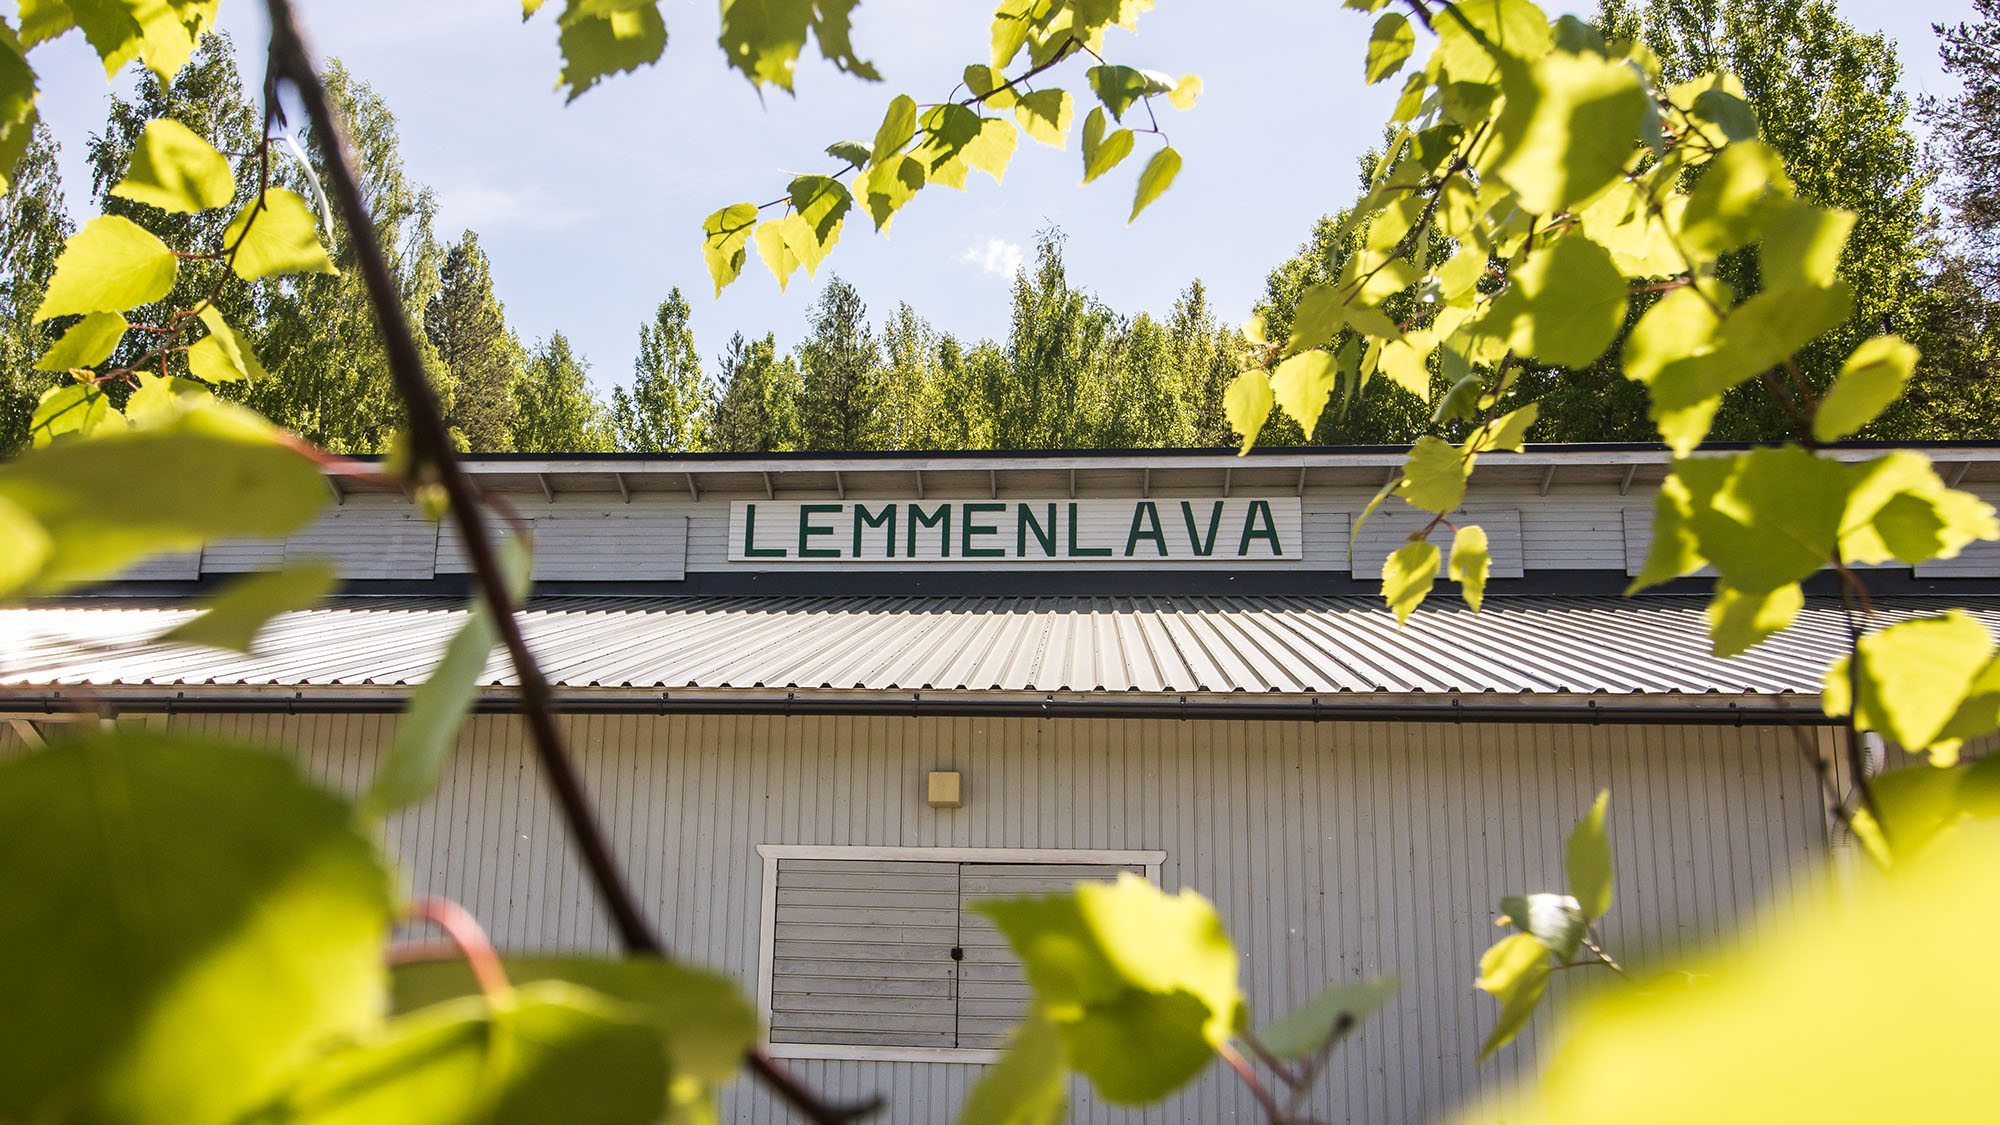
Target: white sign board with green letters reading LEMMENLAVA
[[1019, 531]]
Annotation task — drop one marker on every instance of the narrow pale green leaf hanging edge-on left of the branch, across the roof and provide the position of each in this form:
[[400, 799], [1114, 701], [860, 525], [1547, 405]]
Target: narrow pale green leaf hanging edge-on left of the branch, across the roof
[[429, 728]]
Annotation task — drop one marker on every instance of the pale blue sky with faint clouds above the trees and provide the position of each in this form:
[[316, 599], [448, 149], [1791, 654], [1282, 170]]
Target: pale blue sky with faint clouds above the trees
[[593, 211]]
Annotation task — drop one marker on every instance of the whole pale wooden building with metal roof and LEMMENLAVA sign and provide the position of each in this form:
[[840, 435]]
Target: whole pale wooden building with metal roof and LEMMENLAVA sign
[[1159, 662]]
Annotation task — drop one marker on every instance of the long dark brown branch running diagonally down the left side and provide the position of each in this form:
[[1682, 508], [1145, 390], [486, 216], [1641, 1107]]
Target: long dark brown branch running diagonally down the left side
[[433, 449]]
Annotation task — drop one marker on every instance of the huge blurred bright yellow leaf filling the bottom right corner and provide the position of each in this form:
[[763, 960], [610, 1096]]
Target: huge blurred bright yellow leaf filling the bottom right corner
[[1729, 1048]]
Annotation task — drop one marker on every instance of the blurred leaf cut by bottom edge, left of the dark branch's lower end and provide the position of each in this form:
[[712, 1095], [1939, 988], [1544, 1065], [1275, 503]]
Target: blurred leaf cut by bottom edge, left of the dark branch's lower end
[[545, 1052]]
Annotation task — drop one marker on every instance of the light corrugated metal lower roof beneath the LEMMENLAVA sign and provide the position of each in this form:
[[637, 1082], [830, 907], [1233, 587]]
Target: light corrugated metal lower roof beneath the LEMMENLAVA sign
[[1289, 646]]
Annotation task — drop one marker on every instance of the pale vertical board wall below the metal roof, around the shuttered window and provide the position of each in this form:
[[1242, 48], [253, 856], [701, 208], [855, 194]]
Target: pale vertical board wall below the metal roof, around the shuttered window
[[1335, 850]]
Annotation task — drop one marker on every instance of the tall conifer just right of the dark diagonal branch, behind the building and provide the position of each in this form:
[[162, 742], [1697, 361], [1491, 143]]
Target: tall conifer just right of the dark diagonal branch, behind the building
[[479, 355]]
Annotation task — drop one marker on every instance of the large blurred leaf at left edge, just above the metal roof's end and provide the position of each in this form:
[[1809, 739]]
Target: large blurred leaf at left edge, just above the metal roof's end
[[107, 501]]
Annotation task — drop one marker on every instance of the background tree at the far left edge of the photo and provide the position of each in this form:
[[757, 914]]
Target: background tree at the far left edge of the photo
[[33, 227]]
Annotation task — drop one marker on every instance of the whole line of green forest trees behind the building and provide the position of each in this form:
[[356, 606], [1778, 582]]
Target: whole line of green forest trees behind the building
[[1071, 371]]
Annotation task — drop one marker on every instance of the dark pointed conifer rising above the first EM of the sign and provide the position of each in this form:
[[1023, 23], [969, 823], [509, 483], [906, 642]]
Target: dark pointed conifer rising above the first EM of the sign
[[843, 379]]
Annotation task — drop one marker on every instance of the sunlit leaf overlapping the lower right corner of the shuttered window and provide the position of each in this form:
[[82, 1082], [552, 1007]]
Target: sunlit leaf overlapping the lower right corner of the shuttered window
[[1139, 986]]
